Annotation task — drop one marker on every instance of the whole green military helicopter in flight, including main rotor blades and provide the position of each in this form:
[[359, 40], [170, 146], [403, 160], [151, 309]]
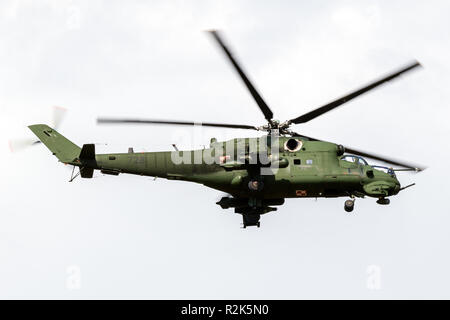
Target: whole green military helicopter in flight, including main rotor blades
[[257, 173]]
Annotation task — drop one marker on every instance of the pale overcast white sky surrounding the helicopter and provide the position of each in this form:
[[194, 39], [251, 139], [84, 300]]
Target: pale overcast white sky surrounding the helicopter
[[132, 237]]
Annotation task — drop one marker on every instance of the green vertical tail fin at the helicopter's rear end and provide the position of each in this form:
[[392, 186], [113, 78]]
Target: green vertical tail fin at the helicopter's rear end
[[64, 149]]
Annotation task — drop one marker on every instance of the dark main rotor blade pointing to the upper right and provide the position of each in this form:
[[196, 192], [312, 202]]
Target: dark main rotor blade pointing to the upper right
[[334, 104]]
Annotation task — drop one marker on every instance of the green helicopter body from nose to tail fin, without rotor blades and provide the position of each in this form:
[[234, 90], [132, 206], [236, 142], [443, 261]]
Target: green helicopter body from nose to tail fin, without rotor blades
[[258, 173]]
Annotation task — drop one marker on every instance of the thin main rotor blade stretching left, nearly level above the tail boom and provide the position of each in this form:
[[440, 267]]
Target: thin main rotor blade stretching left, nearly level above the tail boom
[[182, 123]]
